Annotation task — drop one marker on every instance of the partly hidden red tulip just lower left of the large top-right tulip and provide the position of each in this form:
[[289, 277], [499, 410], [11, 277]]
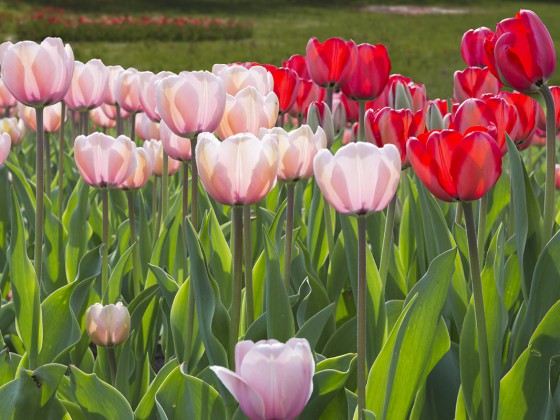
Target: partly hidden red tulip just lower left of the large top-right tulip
[[473, 82]]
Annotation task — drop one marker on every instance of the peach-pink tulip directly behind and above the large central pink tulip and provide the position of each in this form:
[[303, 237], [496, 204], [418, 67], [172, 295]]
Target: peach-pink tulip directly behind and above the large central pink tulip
[[248, 112]]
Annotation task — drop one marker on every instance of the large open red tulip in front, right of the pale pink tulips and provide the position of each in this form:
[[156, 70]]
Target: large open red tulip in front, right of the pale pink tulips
[[455, 166]]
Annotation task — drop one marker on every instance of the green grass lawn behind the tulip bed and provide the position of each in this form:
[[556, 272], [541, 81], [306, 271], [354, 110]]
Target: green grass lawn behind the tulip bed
[[425, 47]]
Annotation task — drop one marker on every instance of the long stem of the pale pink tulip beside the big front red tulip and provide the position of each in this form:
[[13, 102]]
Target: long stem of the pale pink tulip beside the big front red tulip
[[361, 315]]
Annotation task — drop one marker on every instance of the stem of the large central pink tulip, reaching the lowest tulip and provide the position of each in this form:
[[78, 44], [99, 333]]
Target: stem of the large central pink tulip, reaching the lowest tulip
[[235, 316]]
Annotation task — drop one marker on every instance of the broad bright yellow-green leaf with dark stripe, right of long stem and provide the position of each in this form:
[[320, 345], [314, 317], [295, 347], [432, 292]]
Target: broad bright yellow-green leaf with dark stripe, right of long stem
[[416, 344]]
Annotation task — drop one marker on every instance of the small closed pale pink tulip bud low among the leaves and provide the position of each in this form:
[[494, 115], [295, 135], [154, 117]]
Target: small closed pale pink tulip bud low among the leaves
[[108, 325]]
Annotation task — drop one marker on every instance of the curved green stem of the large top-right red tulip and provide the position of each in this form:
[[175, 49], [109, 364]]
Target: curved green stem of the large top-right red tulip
[[548, 217]]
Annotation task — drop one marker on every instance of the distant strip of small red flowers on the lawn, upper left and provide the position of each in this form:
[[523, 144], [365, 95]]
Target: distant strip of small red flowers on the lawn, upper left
[[70, 27]]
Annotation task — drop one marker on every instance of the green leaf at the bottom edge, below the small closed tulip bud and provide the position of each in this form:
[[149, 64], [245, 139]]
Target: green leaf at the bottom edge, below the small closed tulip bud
[[96, 398]]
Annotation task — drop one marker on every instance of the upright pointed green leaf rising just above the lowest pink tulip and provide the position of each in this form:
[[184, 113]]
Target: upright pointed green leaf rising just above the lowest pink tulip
[[280, 321]]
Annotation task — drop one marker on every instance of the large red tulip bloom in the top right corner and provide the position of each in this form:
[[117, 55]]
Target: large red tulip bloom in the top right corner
[[521, 52]]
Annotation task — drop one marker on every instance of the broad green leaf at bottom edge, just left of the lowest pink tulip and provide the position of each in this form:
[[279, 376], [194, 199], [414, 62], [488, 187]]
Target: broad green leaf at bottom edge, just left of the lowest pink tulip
[[182, 396]]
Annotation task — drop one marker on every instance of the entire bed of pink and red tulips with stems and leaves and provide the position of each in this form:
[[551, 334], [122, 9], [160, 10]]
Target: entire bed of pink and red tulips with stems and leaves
[[170, 280]]
